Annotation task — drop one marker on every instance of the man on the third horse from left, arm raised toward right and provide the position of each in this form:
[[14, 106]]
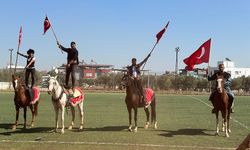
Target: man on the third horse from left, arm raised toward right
[[134, 71]]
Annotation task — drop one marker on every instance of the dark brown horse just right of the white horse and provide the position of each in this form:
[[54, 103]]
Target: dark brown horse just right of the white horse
[[132, 102]]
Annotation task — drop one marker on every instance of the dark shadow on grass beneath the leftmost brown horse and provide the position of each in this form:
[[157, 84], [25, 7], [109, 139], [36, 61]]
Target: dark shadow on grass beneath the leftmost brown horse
[[20, 129]]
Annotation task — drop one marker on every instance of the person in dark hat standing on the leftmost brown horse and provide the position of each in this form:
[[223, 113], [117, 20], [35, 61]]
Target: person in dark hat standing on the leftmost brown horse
[[29, 69]]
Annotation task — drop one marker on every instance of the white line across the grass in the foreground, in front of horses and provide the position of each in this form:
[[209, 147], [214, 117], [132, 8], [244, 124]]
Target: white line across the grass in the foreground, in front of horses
[[117, 144]]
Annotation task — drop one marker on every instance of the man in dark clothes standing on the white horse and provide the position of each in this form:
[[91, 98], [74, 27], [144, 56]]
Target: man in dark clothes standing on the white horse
[[72, 62]]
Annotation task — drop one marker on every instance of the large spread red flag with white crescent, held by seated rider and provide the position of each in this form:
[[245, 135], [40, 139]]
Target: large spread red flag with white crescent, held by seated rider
[[199, 56]]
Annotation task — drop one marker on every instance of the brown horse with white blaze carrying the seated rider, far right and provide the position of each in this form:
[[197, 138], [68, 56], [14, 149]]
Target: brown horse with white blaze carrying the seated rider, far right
[[221, 103]]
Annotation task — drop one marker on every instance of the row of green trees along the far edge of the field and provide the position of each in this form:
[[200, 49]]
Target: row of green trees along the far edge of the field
[[157, 82]]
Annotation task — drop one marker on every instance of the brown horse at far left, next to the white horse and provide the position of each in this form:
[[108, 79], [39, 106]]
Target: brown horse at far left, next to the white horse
[[23, 100]]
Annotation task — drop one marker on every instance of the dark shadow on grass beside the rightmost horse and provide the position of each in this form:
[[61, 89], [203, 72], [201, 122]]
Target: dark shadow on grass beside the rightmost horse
[[192, 132]]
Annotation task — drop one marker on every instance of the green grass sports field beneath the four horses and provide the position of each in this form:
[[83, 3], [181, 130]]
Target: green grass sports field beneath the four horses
[[184, 122]]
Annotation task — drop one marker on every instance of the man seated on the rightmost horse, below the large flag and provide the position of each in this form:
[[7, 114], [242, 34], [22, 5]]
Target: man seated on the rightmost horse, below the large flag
[[227, 84]]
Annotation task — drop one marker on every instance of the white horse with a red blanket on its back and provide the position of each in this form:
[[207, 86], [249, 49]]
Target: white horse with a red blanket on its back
[[59, 100]]
